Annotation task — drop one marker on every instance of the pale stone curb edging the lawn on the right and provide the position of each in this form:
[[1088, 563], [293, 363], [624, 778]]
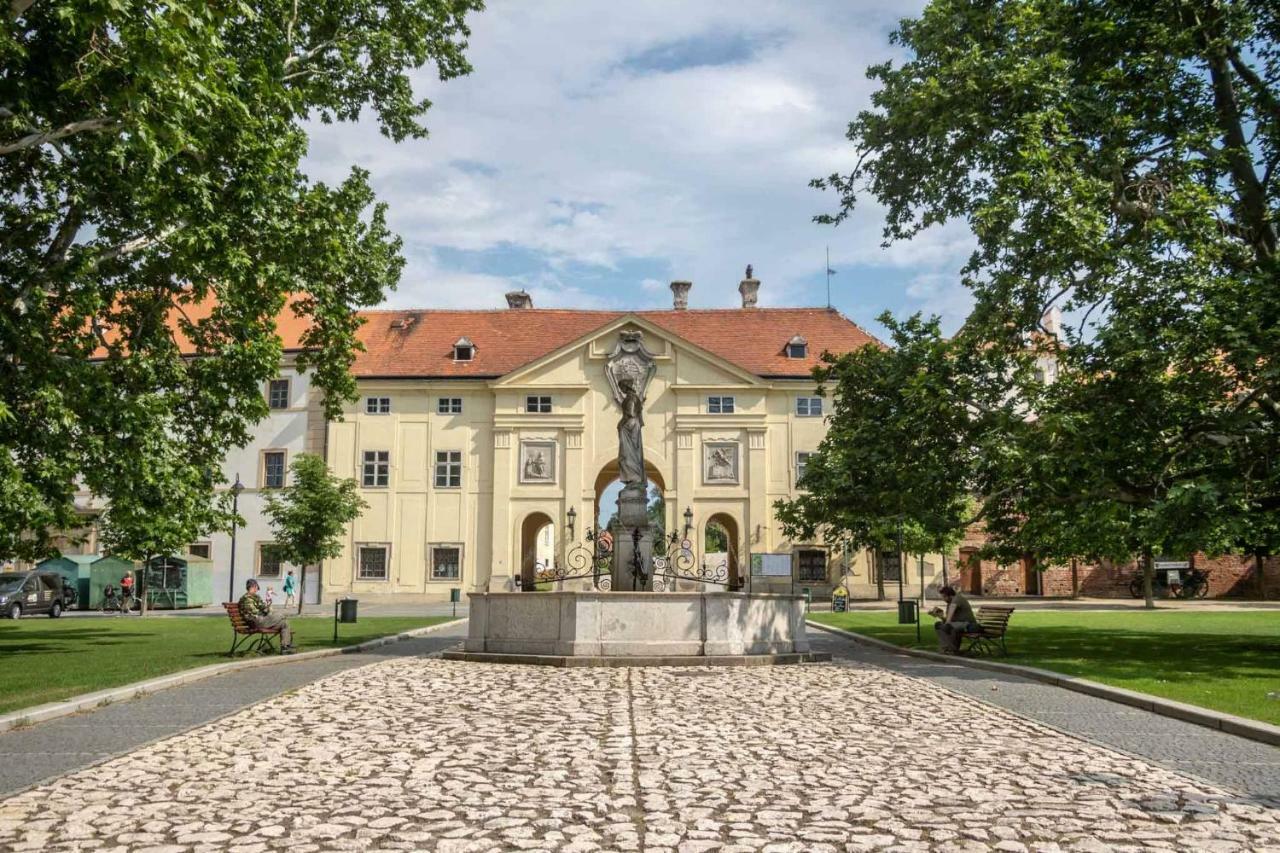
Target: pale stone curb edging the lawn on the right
[[1228, 723]]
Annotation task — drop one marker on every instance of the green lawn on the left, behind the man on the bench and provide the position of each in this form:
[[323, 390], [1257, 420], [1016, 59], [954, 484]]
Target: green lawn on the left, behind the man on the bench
[[44, 660]]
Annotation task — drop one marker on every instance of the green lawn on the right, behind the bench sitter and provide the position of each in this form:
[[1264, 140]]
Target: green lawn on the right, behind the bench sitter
[[1223, 662]]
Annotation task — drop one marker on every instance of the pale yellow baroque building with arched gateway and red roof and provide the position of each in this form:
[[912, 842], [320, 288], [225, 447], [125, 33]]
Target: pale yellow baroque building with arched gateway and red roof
[[486, 443]]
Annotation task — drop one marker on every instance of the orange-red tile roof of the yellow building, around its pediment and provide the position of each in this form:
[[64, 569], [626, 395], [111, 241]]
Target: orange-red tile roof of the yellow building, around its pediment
[[420, 343]]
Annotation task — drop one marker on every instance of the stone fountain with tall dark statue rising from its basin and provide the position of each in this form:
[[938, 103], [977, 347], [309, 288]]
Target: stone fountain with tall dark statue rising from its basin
[[632, 624]]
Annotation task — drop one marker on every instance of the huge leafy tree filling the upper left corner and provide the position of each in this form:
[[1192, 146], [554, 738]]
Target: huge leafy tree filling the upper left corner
[[150, 171]]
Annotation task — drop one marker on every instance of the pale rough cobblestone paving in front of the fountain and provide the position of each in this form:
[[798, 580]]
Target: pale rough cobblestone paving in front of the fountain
[[423, 754]]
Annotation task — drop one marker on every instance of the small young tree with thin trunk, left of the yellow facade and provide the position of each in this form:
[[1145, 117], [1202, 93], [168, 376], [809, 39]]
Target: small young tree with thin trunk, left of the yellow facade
[[310, 516]]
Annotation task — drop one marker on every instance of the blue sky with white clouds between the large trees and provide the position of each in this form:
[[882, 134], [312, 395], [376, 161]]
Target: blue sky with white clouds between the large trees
[[601, 150]]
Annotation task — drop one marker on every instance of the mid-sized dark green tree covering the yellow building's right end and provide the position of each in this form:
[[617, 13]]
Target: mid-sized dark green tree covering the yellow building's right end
[[908, 423]]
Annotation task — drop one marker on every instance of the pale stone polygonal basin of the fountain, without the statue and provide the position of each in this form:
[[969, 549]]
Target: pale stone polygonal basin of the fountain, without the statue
[[627, 627]]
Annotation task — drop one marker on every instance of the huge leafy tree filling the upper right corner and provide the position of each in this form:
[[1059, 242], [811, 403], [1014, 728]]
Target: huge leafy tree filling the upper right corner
[[1118, 161]]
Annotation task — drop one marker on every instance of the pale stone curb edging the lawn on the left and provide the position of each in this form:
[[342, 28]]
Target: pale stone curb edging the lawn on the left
[[90, 701]]
